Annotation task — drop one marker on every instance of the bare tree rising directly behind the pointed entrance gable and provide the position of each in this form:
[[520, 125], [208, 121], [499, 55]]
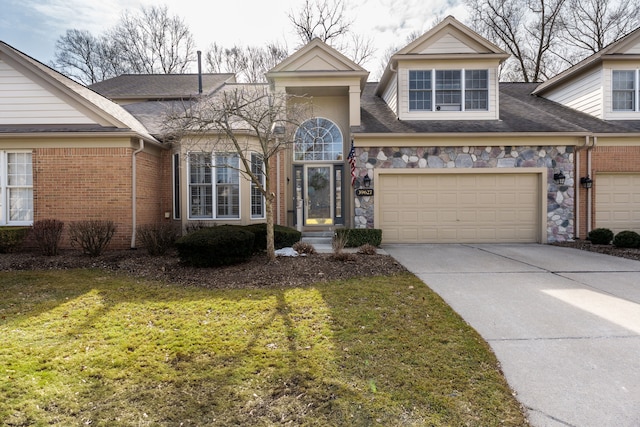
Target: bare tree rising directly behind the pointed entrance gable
[[328, 21]]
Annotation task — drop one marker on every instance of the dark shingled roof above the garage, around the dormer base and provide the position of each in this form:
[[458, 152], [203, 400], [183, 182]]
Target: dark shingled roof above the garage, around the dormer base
[[520, 112]]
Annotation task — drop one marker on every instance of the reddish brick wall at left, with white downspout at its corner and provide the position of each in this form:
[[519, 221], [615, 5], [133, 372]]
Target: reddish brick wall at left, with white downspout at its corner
[[75, 184]]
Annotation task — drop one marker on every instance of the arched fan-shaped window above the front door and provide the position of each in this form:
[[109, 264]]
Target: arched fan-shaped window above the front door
[[318, 139]]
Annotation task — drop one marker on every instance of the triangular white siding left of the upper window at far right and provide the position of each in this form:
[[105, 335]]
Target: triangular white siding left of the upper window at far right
[[582, 94]]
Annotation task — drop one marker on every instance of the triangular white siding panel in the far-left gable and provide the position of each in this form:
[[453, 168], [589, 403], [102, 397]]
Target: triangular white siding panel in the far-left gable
[[23, 101]]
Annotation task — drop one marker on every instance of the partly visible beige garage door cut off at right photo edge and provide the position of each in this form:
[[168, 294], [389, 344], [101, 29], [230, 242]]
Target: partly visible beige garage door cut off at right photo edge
[[618, 201]]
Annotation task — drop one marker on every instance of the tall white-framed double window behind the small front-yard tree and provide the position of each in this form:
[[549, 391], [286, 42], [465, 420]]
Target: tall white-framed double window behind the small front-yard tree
[[209, 182]]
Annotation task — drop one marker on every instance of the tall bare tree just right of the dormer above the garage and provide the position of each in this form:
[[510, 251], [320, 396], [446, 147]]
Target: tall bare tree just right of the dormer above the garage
[[528, 30]]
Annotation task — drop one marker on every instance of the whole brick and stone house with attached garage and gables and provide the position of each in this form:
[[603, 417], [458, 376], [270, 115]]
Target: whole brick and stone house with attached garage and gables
[[442, 151]]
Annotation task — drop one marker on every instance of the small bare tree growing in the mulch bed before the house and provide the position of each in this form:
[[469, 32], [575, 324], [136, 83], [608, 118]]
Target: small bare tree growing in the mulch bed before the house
[[243, 119]]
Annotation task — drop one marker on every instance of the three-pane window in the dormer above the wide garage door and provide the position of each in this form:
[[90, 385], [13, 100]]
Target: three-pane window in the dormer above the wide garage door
[[451, 90]]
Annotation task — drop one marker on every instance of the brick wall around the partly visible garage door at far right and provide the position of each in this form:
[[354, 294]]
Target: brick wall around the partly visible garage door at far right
[[603, 159]]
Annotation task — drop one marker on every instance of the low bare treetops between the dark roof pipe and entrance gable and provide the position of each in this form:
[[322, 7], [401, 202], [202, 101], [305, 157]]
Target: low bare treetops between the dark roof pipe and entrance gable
[[250, 64]]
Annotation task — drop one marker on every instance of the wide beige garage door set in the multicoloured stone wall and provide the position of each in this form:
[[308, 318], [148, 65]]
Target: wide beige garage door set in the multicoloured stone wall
[[459, 208]]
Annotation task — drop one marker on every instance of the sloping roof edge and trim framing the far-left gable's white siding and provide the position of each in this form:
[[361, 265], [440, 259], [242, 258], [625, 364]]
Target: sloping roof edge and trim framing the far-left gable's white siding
[[112, 117]]
